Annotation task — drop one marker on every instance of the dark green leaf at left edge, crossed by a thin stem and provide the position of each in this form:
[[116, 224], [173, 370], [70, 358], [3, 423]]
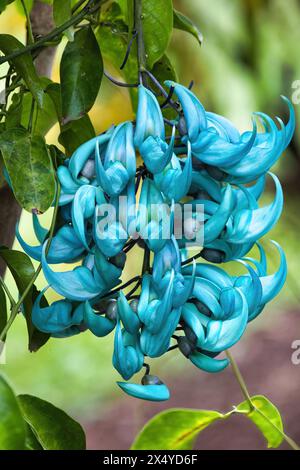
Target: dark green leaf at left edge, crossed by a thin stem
[[22, 271]]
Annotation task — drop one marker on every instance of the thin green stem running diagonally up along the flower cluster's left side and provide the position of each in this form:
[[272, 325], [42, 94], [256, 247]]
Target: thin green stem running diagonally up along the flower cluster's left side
[[16, 307]]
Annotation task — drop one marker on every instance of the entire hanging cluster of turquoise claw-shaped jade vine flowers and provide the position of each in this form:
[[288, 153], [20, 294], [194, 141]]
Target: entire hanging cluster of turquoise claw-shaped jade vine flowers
[[177, 303]]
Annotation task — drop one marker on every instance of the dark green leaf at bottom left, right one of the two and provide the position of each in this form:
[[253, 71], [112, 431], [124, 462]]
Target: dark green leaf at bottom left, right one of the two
[[53, 428]]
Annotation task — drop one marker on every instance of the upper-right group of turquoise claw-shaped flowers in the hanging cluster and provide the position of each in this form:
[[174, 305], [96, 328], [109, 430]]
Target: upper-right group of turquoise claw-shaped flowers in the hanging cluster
[[215, 141]]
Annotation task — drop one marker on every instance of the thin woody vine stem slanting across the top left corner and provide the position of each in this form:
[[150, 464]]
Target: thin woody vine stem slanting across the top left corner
[[54, 33]]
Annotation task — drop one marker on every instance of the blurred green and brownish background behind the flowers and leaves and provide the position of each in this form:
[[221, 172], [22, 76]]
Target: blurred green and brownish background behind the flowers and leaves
[[250, 56]]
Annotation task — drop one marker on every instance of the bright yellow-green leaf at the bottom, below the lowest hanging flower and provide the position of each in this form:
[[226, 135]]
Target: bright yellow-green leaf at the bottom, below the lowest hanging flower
[[174, 429]]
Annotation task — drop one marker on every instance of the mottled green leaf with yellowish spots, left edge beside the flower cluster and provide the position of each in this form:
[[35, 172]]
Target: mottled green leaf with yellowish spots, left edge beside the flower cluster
[[30, 169]]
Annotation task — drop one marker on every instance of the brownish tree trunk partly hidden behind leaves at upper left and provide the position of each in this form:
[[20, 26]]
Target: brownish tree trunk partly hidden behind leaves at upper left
[[42, 22]]
